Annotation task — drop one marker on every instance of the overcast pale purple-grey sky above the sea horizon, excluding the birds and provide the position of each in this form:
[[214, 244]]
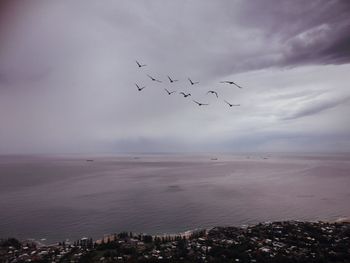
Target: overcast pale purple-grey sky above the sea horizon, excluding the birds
[[68, 74]]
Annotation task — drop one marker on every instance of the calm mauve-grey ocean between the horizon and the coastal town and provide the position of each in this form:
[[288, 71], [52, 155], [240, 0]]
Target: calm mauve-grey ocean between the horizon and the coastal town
[[59, 197]]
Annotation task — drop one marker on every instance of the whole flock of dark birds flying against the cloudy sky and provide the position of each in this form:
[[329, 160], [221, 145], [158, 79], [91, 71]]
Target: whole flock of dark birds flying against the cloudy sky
[[185, 95]]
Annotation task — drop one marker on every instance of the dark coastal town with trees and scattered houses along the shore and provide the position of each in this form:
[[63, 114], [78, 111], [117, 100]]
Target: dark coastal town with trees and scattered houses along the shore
[[288, 241]]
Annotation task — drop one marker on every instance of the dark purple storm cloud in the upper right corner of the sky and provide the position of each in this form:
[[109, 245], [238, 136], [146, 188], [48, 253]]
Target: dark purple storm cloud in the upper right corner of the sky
[[299, 32]]
